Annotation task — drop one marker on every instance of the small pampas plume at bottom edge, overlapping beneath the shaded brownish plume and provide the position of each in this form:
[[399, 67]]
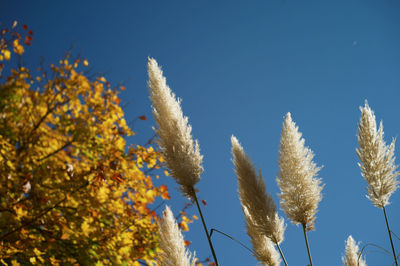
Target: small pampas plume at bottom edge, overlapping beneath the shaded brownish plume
[[263, 247]]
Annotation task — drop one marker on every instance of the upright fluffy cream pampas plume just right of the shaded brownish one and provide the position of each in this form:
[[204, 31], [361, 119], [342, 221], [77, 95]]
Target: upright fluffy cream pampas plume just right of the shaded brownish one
[[300, 188]]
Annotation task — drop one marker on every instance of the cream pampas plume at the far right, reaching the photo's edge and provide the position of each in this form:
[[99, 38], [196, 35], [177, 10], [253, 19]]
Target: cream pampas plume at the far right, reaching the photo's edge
[[377, 159]]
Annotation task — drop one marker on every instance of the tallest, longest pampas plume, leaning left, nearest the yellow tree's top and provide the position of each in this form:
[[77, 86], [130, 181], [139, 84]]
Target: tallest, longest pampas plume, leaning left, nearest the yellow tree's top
[[180, 151]]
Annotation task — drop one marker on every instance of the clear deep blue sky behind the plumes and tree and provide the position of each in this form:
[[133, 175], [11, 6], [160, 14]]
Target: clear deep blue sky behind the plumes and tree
[[239, 67]]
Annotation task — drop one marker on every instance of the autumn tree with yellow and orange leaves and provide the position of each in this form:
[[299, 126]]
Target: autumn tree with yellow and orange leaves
[[72, 191]]
